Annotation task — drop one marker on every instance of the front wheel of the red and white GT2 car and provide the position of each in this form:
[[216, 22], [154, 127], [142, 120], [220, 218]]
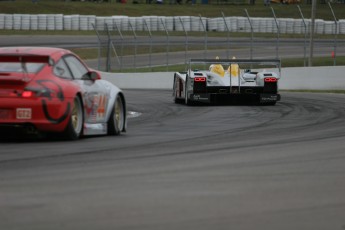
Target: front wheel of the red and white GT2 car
[[116, 120]]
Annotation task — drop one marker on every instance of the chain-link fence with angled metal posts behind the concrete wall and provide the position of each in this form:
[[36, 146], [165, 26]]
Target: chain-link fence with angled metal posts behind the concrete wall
[[151, 41]]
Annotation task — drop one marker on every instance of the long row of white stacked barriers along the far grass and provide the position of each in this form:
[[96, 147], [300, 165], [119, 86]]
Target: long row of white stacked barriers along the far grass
[[158, 23]]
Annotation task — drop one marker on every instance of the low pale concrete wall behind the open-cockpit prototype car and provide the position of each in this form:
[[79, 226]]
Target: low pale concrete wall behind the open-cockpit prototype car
[[310, 78]]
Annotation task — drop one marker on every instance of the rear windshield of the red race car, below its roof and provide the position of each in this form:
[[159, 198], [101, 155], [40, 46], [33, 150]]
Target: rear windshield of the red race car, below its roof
[[17, 67]]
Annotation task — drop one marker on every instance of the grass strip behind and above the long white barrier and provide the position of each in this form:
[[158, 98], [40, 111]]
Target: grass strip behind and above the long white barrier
[[129, 9]]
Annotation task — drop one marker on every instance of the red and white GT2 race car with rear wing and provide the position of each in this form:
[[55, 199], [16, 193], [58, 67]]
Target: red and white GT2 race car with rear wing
[[51, 90]]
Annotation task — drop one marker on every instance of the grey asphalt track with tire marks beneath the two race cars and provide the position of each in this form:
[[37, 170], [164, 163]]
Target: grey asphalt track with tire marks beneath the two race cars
[[186, 168]]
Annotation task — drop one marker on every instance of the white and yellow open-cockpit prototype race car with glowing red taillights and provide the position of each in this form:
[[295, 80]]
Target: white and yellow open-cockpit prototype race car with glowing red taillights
[[230, 85]]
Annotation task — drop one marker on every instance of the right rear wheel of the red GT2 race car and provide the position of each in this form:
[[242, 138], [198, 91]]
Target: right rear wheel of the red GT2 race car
[[74, 128]]
